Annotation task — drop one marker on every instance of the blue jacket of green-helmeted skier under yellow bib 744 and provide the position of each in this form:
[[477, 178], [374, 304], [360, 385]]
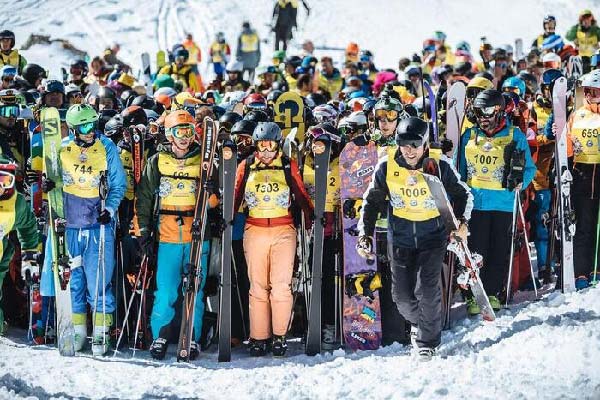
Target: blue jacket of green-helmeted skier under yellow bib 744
[[82, 212]]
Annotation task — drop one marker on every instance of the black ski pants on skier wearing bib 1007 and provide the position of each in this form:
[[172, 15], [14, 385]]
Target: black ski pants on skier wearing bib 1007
[[490, 236]]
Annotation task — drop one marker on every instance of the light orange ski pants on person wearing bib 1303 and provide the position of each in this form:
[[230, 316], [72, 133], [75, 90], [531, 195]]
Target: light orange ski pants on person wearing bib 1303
[[270, 253]]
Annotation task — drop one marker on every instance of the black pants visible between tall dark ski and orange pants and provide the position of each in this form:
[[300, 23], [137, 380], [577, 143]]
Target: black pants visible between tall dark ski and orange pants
[[240, 318]]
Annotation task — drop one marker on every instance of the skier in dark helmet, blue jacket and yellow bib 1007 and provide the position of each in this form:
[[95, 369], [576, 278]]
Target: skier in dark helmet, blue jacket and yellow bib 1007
[[488, 150]]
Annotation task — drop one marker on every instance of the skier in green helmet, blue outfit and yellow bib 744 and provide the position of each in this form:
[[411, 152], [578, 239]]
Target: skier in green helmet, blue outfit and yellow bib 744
[[84, 155]]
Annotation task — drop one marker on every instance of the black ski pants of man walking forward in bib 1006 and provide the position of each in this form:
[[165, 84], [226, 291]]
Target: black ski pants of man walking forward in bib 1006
[[417, 292]]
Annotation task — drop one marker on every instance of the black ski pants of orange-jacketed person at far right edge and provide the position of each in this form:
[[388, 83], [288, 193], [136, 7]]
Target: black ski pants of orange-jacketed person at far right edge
[[584, 243]]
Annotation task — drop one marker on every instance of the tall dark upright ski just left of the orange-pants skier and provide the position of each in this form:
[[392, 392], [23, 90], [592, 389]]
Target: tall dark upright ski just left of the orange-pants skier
[[228, 171]]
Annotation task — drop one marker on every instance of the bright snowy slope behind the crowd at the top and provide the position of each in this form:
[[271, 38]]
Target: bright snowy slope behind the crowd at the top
[[391, 29]]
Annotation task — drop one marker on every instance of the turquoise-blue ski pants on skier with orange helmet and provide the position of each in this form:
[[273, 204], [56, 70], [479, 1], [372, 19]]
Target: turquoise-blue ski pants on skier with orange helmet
[[171, 259]]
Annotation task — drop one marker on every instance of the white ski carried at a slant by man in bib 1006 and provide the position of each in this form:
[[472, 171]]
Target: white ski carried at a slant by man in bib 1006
[[469, 263]]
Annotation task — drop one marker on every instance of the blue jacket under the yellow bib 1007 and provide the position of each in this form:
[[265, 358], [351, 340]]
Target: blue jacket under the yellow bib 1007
[[497, 200]]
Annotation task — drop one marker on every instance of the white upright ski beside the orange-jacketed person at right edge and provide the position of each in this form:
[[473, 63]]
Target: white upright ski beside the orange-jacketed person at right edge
[[566, 214]]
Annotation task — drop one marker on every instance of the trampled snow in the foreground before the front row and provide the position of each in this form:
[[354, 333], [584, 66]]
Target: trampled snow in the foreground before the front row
[[549, 349]]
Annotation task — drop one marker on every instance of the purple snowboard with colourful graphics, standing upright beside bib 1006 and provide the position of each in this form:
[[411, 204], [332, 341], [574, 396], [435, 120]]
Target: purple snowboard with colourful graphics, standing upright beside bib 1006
[[362, 311]]
